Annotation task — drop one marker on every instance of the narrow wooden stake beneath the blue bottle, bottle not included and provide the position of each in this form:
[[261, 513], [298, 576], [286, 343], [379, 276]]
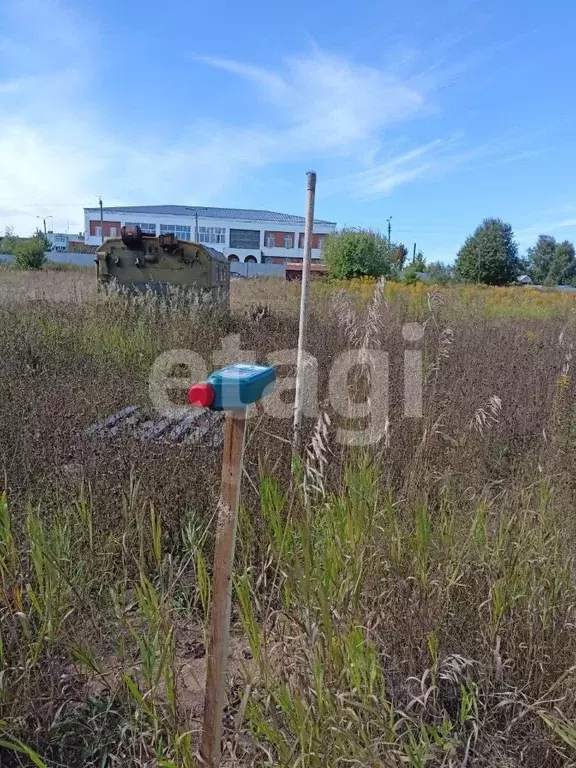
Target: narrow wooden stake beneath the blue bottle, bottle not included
[[235, 431]]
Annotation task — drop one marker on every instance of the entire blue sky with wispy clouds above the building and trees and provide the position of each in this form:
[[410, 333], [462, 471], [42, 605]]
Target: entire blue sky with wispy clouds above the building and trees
[[435, 113]]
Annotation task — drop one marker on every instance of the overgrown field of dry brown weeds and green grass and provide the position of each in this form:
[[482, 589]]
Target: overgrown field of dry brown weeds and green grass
[[407, 603]]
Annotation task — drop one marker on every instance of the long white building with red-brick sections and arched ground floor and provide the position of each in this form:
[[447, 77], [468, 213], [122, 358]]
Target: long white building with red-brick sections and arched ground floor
[[242, 235]]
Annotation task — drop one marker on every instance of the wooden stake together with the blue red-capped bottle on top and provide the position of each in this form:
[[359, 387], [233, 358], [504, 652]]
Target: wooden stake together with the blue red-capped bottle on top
[[231, 389]]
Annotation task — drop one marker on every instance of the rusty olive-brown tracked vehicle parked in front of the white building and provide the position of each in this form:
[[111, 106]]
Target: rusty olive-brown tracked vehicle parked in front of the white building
[[140, 262]]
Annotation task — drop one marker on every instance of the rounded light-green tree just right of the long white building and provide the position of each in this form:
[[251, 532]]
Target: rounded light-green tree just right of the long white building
[[357, 252]]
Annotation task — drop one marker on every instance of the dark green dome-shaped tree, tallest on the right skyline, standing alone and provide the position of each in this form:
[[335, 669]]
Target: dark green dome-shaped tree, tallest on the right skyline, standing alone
[[490, 255]]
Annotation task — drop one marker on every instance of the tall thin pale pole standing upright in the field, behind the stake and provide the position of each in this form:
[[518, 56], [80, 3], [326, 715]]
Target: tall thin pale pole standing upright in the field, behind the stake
[[309, 228]]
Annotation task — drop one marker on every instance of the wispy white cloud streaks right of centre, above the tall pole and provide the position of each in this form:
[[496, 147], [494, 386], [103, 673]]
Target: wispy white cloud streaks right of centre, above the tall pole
[[340, 109]]
